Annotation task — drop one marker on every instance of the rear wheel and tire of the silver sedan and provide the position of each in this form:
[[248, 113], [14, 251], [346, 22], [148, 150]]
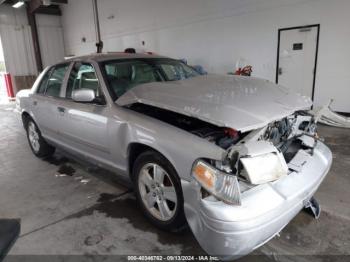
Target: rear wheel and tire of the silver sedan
[[37, 143]]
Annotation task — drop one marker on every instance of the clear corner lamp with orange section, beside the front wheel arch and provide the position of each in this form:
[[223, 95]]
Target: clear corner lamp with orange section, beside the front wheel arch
[[224, 186]]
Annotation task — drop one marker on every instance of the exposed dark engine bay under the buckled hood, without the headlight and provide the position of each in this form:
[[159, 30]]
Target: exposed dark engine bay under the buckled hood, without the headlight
[[282, 134]]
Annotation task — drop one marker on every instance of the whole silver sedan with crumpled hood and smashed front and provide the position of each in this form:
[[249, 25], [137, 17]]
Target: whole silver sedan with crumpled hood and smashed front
[[235, 158]]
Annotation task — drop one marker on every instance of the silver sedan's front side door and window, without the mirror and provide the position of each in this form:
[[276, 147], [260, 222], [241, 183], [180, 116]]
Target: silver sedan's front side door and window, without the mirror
[[84, 126]]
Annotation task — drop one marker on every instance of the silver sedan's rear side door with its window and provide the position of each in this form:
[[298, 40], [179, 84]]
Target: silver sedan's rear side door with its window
[[47, 100]]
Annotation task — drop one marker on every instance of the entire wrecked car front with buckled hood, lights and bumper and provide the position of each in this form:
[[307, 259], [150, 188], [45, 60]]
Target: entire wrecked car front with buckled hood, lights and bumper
[[268, 162]]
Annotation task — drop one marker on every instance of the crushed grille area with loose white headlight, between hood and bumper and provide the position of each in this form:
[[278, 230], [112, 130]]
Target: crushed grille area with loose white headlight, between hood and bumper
[[269, 153]]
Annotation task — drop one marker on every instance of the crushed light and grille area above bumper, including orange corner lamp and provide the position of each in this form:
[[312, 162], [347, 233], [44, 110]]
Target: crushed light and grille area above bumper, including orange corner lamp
[[257, 157]]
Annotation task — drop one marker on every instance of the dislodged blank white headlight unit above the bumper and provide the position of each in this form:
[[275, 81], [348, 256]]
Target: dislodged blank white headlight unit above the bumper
[[264, 168]]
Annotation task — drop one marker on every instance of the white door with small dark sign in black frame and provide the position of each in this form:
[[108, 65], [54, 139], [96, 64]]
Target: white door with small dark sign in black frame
[[297, 57]]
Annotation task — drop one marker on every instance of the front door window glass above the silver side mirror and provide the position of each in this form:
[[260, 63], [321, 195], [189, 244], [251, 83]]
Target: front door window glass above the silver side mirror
[[83, 76]]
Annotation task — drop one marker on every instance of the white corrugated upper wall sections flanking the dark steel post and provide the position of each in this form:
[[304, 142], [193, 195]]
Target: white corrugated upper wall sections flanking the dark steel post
[[17, 41]]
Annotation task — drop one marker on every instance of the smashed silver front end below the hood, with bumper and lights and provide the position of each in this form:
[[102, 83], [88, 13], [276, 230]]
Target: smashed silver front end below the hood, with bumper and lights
[[263, 181]]
